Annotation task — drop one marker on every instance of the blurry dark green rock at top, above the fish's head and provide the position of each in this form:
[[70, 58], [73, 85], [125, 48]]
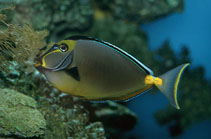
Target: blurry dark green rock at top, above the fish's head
[[56, 16]]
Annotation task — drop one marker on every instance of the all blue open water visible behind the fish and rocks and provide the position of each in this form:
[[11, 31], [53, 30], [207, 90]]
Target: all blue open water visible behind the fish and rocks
[[191, 28]]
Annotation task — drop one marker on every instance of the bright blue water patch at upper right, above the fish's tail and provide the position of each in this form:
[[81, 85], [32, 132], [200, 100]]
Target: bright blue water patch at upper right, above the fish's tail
[[191, 28]]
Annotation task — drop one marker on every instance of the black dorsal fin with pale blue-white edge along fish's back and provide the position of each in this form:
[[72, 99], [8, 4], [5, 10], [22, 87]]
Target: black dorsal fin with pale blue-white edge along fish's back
[[137, 62]]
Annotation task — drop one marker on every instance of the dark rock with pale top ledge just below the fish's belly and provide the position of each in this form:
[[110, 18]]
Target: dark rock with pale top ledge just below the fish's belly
[[115, 117]]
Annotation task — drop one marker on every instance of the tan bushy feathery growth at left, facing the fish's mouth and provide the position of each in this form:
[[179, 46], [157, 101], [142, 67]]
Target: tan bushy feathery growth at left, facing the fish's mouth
[[19, 44]]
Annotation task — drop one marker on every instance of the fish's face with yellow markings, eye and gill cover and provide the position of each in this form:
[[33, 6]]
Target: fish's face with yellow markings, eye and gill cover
[[59, 56]]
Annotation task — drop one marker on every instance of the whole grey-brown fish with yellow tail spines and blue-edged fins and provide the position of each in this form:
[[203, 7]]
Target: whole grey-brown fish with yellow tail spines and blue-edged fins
[[99, 71]]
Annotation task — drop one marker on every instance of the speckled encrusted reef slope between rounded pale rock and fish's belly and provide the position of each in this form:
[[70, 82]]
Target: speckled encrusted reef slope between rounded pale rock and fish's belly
[[65, 118]]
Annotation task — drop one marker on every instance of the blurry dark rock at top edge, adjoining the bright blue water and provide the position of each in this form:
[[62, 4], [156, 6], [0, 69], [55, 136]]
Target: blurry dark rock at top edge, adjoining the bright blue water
[[139, 10]]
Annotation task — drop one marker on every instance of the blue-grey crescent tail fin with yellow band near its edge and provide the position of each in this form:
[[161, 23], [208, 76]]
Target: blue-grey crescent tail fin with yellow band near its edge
[[170, 81]]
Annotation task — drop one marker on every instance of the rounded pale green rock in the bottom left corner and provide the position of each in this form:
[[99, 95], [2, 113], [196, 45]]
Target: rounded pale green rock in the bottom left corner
[[19, 115]]
